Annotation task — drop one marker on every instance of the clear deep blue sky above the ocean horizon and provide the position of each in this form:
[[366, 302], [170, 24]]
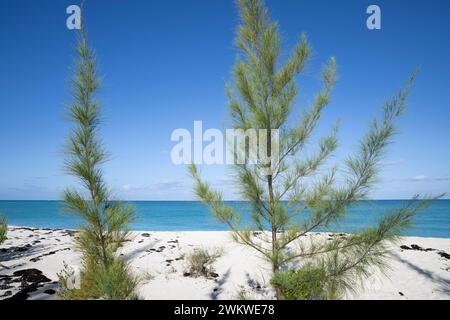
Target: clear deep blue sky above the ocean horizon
[[164, 65]]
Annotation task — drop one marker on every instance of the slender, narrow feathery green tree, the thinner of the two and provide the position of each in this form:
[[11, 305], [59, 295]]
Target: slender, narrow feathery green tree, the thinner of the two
[[105, 229]]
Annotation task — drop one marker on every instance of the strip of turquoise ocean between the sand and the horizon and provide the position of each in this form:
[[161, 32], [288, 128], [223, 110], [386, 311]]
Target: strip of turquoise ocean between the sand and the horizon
[[193, 216]]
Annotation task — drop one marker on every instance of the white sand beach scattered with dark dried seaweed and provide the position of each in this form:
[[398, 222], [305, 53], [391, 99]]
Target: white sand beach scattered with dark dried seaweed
[[422, 271]]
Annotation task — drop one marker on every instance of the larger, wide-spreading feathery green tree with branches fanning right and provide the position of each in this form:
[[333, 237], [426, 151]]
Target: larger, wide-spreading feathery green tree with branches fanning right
[[262, 97]]
